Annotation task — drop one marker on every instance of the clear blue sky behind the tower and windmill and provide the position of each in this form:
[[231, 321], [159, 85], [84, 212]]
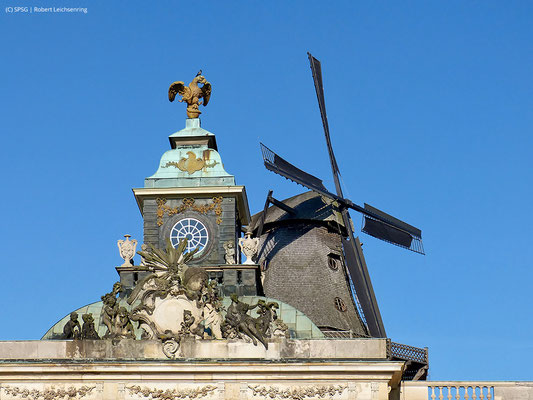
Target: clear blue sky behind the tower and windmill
[[431, 115]]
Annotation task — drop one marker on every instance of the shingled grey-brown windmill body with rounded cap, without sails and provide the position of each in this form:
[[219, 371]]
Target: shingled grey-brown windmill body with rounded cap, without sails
[[302, 262]]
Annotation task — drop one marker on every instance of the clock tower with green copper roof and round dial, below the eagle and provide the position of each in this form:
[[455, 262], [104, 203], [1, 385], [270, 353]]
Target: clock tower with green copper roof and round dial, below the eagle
[[192, 196]]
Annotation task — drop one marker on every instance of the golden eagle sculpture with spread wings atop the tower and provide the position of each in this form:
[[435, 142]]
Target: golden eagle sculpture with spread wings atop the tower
[[191, 94]]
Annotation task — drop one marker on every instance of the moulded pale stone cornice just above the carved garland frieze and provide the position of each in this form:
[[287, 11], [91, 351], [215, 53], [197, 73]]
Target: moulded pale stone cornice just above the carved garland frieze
[[200, 372]]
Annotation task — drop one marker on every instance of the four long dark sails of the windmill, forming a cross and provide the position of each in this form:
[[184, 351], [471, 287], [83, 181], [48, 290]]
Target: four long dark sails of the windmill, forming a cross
[[375, 222]]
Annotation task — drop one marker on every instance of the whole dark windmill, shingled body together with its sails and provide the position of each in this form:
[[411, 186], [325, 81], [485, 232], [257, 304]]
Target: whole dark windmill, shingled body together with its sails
[[308, 246]]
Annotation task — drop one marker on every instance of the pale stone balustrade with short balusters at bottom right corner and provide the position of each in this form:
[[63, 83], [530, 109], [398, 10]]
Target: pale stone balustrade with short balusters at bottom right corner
[[463, 390]]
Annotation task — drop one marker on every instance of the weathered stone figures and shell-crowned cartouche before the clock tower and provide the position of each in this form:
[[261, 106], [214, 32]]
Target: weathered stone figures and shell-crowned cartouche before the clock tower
[[176, 301]]
